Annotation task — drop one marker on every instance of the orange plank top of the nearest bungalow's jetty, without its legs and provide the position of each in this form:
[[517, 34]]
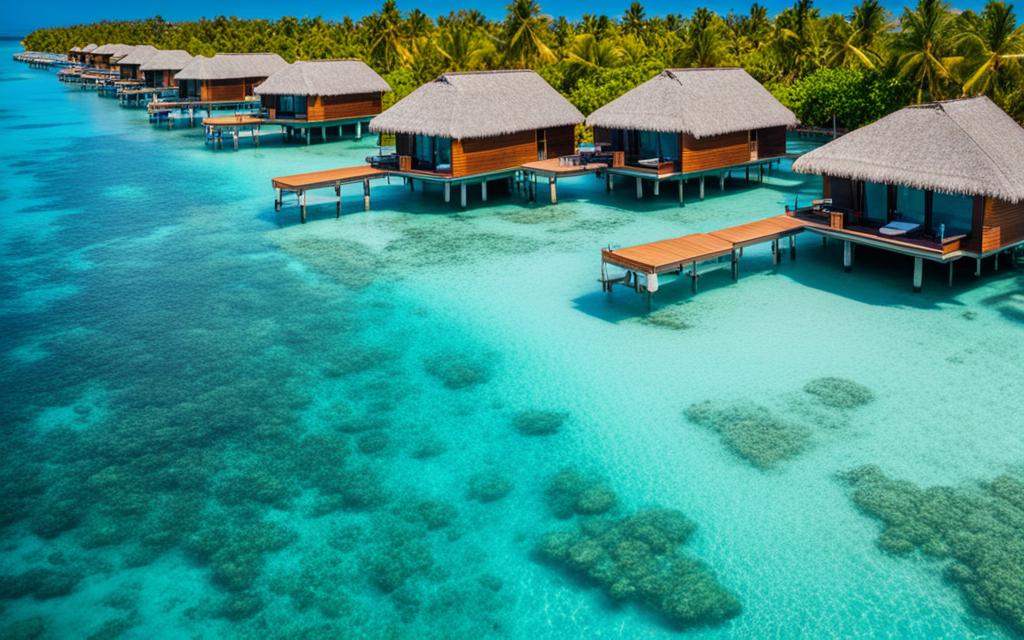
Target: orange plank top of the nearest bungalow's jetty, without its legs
[[672, 255]]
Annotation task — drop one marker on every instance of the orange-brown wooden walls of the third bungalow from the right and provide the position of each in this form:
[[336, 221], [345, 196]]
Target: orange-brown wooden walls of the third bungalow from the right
[[477, 156]]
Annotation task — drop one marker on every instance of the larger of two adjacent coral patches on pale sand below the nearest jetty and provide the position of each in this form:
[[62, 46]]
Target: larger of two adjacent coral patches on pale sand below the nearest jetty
[[752, 432]]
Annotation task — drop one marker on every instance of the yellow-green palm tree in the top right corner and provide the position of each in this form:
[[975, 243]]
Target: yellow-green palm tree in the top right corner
[[996, 47]]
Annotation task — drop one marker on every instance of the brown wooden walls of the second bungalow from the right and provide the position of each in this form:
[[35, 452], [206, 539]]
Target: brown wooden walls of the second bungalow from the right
[[717, 152]]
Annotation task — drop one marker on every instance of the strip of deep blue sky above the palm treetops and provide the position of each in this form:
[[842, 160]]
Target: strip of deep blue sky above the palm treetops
[[18, 18]]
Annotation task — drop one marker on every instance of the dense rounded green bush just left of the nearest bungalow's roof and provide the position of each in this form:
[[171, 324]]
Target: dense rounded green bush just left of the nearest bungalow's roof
[[856, 97]]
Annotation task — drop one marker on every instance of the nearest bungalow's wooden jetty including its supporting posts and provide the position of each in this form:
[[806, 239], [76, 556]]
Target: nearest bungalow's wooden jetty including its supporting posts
[[694, 251]]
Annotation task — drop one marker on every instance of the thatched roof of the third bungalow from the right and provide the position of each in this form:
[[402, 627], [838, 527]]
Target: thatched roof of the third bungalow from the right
[[479, 105]]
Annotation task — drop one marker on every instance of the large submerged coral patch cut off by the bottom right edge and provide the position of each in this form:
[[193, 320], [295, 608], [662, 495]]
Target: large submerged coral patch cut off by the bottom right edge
[[979, 532]]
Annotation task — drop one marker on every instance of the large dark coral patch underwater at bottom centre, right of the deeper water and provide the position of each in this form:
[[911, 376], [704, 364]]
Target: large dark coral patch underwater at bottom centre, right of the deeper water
[[636, 559]]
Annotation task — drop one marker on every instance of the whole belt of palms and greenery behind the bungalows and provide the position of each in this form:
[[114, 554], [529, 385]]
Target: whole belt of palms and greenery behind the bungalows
[[848, 69]]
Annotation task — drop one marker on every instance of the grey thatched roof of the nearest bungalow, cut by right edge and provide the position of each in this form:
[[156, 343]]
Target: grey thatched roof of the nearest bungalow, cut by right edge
[[959, 147]]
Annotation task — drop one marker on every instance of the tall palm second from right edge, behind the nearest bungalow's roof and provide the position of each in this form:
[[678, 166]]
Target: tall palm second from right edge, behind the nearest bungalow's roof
[[924, 49]]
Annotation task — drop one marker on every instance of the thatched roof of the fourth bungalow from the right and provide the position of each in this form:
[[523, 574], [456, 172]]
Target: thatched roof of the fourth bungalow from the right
[[324, 78]]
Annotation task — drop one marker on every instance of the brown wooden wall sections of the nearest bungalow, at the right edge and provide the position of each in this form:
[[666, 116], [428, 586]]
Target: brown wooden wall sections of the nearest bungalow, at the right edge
[[995, 224]]
